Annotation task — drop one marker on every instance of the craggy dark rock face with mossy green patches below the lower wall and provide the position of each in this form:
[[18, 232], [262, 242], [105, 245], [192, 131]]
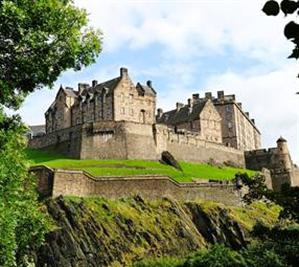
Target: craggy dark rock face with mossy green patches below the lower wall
[[100, 232]]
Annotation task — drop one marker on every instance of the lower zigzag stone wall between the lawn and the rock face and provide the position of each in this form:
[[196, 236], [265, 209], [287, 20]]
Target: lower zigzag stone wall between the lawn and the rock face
[[78, 183]]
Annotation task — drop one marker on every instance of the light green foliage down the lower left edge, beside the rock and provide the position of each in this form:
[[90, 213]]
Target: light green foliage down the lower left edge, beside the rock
[[21, 223]]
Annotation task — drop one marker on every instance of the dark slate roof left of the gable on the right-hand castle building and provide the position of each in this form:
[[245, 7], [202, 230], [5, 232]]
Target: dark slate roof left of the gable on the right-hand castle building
[[183, 115]]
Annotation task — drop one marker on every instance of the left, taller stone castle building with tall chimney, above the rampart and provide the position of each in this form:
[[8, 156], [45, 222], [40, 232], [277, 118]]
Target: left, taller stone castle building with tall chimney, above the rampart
[[114, 100]]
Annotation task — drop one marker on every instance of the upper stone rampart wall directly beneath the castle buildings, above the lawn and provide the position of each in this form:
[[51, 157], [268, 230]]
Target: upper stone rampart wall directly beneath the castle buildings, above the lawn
[[130, 140]]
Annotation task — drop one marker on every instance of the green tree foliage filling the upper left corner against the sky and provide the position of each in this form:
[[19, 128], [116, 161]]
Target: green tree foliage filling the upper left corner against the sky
[[39, 40]]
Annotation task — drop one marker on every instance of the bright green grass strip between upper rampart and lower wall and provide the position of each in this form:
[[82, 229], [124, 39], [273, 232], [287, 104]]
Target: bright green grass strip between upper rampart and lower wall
[[190, 171]]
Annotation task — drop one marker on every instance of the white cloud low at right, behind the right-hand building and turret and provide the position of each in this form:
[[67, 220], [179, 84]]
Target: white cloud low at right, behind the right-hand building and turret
[[271, 100]]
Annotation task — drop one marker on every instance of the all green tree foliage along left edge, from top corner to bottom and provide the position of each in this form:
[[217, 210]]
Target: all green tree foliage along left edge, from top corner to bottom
[[39, 39]]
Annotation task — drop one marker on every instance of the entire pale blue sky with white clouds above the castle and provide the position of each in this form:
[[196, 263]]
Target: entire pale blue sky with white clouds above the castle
[[187, 47]]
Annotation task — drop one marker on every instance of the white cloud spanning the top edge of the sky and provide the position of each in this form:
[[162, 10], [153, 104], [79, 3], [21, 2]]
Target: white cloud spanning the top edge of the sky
[[189, 28]]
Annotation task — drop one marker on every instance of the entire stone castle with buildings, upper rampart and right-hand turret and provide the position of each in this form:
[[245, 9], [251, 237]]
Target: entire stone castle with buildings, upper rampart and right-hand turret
[[117, 119]]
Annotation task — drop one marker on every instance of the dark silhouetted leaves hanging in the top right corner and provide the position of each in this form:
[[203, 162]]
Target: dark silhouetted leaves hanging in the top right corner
[[291, 30]]
